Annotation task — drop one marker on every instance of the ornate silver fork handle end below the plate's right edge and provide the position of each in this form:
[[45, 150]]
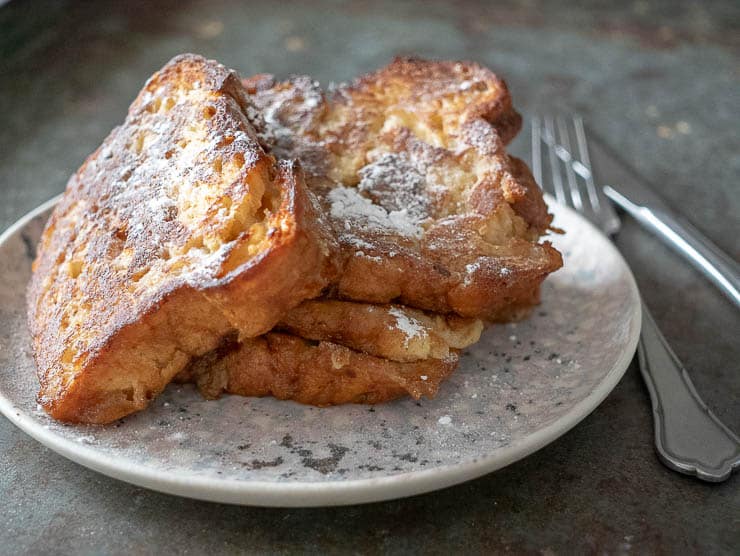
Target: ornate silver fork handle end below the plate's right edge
[[688, 436]]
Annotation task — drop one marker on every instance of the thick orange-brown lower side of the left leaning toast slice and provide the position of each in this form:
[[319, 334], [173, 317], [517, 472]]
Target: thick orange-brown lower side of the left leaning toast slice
[[122, 377]]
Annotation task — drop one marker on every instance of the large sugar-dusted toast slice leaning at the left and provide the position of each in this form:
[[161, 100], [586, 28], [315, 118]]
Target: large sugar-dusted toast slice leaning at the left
[[179, 230]]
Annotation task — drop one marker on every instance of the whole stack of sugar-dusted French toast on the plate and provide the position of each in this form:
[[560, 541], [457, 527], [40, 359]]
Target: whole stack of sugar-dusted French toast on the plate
[[259, 237]]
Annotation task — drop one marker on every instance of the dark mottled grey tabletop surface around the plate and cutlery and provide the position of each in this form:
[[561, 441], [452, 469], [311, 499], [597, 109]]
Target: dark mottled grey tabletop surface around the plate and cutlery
[[660, 80]]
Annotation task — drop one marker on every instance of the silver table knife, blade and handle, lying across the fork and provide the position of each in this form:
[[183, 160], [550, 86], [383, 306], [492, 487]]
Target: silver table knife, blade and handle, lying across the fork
[[635, 197]]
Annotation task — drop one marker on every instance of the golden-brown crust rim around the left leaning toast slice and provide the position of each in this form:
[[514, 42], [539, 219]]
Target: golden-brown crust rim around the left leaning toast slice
[[122, 371]]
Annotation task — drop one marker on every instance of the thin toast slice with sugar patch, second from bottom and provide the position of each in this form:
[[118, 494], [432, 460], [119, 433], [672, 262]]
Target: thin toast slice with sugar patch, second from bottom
[[392, 332]]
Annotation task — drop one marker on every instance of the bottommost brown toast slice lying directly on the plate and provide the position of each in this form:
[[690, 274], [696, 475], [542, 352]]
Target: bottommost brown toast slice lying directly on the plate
[[316, 373]]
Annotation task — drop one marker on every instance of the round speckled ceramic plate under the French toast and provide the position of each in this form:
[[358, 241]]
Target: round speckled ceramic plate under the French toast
[[522, 386]]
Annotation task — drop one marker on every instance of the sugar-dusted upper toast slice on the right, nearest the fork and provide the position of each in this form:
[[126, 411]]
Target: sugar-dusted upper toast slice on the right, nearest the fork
[[410, 165]]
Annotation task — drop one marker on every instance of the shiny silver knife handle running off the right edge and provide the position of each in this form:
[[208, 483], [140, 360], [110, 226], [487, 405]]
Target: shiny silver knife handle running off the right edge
[[689, 242]]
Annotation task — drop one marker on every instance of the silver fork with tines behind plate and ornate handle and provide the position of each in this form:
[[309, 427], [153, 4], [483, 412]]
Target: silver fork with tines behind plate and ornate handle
[[689, 438]]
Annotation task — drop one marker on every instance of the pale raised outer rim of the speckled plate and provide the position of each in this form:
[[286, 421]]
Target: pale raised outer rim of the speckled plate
[[336, 492]]
